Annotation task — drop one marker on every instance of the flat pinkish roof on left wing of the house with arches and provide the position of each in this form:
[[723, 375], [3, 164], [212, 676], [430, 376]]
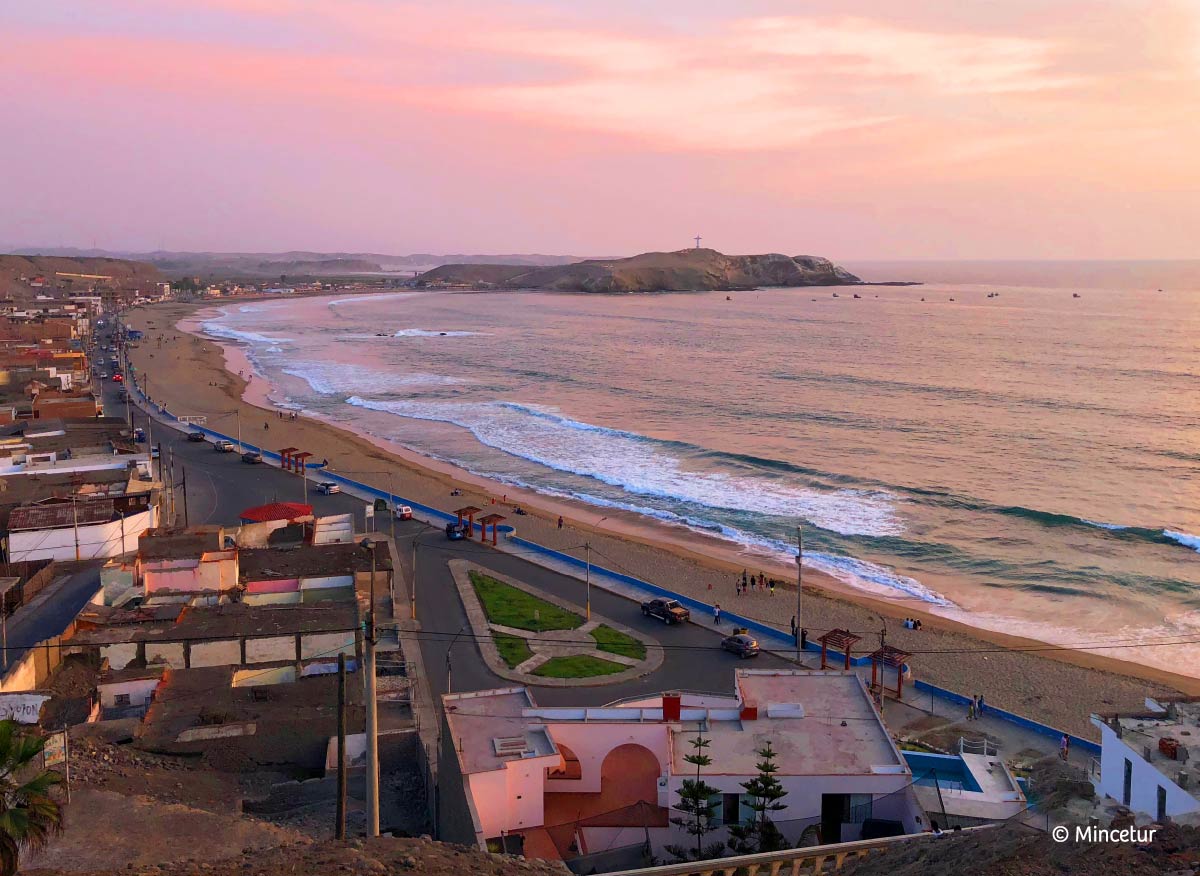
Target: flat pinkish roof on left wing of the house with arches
[[490, 729]]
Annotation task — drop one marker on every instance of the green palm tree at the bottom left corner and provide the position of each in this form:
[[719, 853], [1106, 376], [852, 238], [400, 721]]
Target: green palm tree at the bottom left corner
[[29, 817]]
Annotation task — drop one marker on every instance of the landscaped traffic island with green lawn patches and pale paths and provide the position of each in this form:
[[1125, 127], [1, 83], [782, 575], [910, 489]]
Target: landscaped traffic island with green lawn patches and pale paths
[[539, 639]]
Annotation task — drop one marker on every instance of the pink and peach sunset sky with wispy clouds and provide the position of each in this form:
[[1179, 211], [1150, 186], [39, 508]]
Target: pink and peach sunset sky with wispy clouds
[[854, 129]]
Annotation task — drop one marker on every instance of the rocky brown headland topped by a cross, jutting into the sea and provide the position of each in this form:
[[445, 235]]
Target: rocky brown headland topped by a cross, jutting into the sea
[[683, 271]]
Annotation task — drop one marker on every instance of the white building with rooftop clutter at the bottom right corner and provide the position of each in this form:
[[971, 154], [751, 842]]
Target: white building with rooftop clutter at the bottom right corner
[[1150, 761]]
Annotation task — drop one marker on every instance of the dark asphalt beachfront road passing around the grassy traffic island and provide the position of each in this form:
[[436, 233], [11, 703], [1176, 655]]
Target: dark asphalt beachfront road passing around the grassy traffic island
[[220, 487]]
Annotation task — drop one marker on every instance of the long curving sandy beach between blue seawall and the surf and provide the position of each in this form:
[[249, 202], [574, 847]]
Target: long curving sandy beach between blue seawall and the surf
[[194, 375]]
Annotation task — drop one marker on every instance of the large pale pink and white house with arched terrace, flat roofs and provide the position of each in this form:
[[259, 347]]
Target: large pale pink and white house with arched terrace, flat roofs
[[572, 782]]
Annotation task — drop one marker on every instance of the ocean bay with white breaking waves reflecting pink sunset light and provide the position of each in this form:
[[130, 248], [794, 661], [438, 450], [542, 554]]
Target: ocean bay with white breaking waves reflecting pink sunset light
[[1015, 446]]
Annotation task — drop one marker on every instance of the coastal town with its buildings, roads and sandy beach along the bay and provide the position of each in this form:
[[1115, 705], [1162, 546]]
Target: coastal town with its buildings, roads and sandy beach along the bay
[[257, 639]]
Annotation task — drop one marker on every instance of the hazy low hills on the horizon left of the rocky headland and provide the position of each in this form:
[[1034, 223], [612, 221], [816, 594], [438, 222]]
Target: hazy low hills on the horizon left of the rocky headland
[[224, 266]]
